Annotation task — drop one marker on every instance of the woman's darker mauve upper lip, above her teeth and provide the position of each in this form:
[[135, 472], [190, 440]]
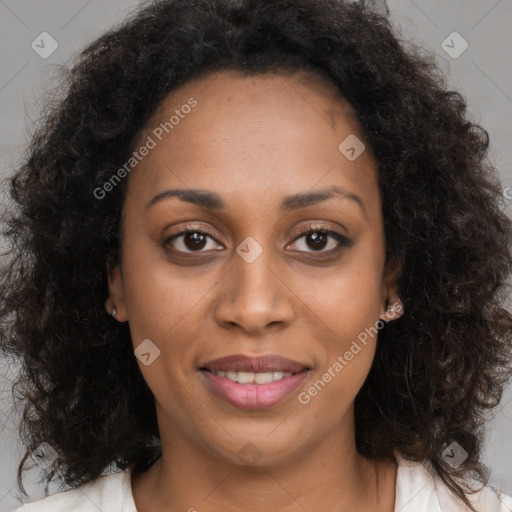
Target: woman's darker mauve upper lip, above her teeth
[[243, 363]]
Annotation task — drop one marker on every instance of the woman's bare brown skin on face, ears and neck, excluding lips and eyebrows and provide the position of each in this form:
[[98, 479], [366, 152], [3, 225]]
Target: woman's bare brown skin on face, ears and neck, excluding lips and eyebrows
[[254, 140]]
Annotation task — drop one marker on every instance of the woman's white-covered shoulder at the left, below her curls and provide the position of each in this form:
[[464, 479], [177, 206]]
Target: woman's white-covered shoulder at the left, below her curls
[[108, 492]]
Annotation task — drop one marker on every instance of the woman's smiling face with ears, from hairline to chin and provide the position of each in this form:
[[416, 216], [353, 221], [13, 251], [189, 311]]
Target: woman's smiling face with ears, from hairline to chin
[[264, 155]]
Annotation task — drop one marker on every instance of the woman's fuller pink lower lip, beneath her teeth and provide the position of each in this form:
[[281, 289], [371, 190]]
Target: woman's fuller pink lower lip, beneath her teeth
[[254, 396]]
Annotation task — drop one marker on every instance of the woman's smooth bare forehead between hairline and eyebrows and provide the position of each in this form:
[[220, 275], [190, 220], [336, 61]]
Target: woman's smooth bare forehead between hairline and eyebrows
[[258, 137]]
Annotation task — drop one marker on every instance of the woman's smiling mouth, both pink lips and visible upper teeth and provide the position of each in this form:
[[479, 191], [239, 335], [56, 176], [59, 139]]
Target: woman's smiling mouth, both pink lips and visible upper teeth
[[253, 382]]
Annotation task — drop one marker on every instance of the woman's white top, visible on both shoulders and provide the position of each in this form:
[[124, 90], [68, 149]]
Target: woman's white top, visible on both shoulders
[[418, 489]]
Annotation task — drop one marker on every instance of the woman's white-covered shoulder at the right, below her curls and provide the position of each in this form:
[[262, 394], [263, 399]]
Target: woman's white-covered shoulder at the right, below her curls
[[419, 489]]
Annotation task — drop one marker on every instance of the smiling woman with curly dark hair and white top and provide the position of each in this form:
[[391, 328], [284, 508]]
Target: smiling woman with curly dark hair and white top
[[265, 234]]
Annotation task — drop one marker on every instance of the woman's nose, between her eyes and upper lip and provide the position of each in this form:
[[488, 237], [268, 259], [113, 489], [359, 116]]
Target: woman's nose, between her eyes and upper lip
[[254, 296]]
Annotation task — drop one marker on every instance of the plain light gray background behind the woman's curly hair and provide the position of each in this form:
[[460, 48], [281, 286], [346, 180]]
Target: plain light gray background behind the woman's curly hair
[[482, 73]]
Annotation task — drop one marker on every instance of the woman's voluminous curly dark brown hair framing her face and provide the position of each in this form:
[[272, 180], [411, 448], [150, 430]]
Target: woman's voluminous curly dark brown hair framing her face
[[438, 370]]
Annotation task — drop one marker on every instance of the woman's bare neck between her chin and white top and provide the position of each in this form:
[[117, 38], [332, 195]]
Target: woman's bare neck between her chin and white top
[[331, 476]]
